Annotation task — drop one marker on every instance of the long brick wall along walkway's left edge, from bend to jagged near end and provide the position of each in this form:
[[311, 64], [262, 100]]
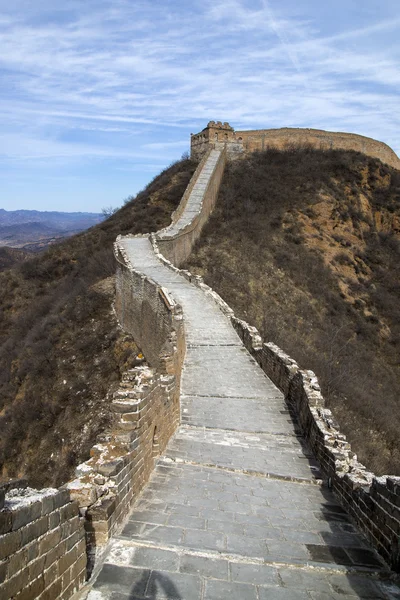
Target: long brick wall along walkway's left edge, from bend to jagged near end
[[146, 408]]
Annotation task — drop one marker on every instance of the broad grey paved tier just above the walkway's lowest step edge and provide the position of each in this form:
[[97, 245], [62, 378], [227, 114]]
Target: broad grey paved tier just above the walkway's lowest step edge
[[206, 509]]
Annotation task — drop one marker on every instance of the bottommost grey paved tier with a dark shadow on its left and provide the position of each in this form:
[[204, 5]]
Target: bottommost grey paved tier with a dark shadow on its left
[[139, 572]]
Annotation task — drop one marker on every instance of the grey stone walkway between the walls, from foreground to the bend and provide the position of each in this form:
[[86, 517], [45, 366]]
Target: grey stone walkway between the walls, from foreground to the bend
[[234, 509]]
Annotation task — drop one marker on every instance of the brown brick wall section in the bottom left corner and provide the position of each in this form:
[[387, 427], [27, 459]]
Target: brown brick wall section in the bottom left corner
[[42, 545]]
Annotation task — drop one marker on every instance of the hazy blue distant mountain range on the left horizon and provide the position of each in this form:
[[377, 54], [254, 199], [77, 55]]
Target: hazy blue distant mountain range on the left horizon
[[34, 230]]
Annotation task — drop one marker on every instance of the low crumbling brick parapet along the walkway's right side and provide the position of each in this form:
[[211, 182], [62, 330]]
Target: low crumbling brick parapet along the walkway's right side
[[373, 502]]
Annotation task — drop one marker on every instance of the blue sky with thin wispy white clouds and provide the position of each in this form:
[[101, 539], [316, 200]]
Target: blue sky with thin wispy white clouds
[[96, 97]]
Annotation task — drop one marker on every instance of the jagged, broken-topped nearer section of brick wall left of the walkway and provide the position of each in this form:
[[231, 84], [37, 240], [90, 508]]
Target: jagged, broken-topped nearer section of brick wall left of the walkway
[[146, 415]]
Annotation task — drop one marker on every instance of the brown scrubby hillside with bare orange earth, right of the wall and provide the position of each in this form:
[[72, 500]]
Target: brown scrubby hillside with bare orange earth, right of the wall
[[305, 245]]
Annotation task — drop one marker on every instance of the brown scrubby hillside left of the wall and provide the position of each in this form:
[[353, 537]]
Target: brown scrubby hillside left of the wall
[[61, 351]]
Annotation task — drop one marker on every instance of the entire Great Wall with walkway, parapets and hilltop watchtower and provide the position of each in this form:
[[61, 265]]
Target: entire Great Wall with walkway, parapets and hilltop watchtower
[[224, 474]]
